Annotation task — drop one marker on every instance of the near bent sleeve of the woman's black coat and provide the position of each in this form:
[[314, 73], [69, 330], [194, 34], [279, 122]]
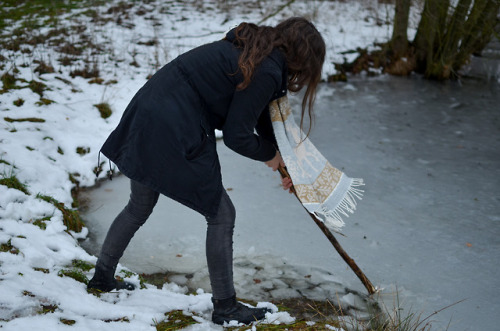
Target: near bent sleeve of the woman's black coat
[[244, 112]]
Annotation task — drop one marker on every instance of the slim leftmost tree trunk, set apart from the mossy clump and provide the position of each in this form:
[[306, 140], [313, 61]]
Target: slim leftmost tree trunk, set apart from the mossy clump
[[399, 40]]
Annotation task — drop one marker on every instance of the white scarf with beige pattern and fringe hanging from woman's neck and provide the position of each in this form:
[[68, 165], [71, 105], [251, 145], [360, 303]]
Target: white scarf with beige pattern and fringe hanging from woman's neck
[[325, 191]]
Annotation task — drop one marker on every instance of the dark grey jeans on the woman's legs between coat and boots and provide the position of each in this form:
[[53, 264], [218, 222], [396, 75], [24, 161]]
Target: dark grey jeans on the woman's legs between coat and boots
[[219, 240]]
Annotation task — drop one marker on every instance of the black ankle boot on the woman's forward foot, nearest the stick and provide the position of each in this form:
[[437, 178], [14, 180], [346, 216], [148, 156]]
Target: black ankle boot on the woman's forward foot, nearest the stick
[[230, 310]]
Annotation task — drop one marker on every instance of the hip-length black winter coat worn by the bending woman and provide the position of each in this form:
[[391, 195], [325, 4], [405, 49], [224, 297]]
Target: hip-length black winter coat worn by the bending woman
[[165, 139]]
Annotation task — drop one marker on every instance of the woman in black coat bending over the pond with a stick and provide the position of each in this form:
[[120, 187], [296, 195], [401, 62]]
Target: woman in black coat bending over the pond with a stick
[[165, 141]]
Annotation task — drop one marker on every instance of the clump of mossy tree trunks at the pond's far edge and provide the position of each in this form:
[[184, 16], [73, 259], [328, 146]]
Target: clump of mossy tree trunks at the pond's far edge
[[445, 40]]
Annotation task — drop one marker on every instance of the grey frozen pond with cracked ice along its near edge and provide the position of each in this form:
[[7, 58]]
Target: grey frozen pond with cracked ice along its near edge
[[428, 226]]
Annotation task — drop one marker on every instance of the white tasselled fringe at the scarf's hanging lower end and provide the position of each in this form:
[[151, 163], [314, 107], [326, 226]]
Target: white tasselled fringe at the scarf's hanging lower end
[[333, 218]]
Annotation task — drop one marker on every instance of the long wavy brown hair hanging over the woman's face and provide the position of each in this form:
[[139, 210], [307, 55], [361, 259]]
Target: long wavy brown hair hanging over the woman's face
[[303, 47]]
